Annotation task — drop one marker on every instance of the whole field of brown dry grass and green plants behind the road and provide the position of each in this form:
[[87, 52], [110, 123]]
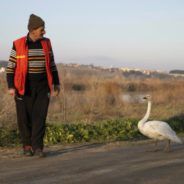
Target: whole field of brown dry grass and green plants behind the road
[[99, 105]]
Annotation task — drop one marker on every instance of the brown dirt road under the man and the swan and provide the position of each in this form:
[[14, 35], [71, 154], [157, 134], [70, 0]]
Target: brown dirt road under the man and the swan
[[113, 163]]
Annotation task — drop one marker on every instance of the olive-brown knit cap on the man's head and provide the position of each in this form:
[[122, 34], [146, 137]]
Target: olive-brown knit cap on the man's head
[[35, 22]]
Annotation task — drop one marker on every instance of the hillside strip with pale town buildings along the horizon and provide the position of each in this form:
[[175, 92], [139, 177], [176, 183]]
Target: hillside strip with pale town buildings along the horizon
[[124, 71]]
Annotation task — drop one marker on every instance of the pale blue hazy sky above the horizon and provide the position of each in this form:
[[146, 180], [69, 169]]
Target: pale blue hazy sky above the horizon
[[112, 33]]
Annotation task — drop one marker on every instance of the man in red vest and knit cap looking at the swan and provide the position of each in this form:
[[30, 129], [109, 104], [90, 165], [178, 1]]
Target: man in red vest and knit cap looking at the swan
[[32, 76]]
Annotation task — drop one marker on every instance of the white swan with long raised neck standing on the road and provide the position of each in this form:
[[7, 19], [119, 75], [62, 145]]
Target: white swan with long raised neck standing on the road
[[157, 130]]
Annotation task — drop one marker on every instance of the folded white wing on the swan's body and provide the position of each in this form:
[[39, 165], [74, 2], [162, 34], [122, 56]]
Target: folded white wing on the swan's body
[[158, 128]]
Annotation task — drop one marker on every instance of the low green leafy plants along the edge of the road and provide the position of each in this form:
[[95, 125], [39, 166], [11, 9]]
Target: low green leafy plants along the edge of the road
[[103, 131]]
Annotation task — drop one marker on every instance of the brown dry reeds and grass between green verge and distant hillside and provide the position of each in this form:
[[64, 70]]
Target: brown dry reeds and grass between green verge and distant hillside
[[88, 96]]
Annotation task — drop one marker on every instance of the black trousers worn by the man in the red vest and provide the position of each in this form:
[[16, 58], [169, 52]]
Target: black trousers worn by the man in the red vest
[[32, 111]]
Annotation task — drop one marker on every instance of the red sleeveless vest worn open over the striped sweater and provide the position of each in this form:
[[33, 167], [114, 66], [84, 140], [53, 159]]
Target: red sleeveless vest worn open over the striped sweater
[[22, 63]]
